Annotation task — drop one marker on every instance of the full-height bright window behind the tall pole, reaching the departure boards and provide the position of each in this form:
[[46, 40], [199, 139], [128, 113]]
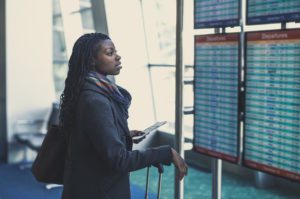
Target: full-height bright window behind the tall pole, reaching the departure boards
[[160, 28]]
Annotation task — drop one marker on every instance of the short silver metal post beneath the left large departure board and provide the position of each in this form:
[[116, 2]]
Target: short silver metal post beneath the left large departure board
[[216, 178]]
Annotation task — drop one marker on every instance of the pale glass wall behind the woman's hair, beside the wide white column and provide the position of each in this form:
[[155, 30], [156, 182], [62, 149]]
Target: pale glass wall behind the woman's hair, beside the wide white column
[[70, 20]]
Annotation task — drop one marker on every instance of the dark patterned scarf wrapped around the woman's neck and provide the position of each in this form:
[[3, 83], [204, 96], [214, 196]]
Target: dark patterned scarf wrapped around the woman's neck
[[117, 93]]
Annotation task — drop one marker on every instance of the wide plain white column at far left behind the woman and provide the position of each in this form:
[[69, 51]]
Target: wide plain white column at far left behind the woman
[[29, 76]]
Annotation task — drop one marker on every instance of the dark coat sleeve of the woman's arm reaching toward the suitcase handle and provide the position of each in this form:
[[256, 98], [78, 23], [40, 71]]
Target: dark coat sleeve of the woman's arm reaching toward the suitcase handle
[[100, 127]]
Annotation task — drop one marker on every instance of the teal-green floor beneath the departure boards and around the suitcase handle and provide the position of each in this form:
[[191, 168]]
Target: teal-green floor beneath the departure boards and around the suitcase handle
[[198, 186]]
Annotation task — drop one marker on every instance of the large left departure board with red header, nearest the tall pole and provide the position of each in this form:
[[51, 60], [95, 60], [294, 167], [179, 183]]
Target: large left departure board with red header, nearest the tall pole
[[216, 93]]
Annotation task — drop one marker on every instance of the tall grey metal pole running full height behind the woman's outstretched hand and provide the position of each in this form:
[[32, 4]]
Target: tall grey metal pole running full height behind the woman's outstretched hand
[[179, 91]]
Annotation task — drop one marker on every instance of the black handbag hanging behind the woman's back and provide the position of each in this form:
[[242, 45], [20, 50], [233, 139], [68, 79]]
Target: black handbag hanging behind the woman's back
[[48, 166]]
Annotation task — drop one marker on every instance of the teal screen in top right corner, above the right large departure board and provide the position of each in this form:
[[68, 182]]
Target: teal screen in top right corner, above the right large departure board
[[272, 11]]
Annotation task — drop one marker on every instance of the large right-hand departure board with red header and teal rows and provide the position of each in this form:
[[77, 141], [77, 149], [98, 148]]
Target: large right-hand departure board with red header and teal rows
[[272, 109]]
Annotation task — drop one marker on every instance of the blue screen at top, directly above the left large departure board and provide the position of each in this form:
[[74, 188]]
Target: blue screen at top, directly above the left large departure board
[[216, 13]]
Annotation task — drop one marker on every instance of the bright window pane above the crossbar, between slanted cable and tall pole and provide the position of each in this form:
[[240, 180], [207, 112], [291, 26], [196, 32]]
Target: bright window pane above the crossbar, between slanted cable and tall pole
[[160, 20]]
